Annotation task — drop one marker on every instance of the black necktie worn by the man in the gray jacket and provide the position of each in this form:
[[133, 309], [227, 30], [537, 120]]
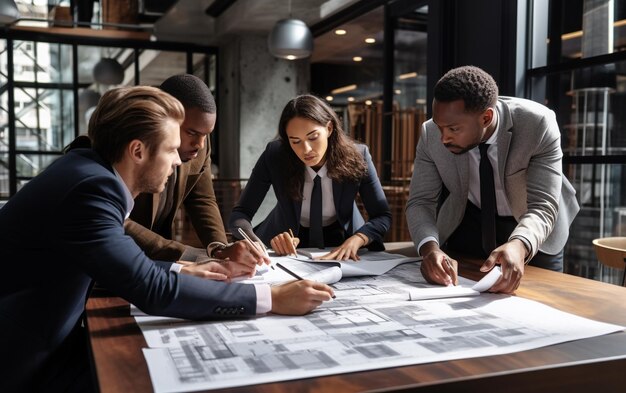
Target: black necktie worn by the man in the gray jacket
[[487, 200]]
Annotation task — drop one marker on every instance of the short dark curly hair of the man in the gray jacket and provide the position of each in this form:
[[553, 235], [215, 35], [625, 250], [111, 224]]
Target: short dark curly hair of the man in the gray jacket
[[475, 87]]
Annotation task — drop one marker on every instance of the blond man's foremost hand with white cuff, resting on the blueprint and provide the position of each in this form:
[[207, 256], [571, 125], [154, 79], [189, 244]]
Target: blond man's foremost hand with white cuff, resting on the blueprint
[[299, 297]]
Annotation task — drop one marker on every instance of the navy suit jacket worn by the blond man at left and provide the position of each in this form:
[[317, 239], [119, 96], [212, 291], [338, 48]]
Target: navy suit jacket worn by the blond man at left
[[64, 229]]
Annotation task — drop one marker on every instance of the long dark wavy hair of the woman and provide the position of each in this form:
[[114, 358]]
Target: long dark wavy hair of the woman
[[343, 160]]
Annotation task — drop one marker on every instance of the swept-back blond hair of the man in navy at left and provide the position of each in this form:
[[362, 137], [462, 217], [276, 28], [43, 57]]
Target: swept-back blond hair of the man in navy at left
[[128, 113]]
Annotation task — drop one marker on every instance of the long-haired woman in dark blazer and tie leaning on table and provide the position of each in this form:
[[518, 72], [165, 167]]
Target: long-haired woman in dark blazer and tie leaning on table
[[311, 143]]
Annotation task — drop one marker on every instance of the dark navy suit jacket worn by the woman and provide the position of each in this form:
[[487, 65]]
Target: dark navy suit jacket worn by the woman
[[269, 171]]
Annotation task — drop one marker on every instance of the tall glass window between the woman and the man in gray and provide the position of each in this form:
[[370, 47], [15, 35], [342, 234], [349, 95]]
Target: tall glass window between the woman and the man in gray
[[372, 70]]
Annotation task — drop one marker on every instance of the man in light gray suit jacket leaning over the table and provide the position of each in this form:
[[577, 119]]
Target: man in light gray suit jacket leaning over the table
[[526, 218]]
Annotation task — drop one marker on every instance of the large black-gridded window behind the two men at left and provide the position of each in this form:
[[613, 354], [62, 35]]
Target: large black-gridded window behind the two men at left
[[50, 86]]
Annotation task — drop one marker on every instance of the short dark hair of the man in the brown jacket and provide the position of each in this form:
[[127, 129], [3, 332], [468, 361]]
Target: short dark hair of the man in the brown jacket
[[191, 91]]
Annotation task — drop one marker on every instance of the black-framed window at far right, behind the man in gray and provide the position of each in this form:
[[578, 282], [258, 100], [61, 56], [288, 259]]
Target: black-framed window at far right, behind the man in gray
[[579, 70]]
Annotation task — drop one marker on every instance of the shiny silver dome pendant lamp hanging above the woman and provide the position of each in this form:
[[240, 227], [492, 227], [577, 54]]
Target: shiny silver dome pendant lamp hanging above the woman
[[290, 39]]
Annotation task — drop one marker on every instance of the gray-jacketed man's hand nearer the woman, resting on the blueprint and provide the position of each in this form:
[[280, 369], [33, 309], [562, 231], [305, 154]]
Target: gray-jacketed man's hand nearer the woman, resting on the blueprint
[[437, 267]]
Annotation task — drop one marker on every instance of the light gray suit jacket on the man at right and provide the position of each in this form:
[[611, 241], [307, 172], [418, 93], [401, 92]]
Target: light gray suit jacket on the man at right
[[529, 161]]
